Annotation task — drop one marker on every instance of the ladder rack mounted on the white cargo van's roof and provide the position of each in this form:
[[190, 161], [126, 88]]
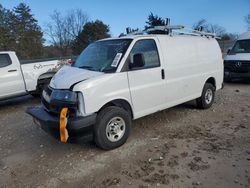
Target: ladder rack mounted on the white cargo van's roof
[[168, 29]]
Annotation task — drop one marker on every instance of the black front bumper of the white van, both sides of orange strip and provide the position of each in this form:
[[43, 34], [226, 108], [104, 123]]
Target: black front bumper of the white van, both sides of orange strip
[[79, 129]]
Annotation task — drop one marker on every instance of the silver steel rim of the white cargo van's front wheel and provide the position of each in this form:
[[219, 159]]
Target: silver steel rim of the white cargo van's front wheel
[[115, 129]]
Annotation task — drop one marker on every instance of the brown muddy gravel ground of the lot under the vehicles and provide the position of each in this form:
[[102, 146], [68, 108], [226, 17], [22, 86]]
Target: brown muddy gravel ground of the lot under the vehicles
[[178, 147]]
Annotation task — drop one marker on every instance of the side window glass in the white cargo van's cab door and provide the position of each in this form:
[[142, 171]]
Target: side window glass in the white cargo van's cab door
[[148, 49]]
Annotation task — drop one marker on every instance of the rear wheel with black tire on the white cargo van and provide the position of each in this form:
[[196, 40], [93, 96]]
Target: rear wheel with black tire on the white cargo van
[[203, 102]]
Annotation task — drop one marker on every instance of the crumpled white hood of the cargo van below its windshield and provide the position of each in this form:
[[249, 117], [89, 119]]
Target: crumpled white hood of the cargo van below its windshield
[[68, 76]]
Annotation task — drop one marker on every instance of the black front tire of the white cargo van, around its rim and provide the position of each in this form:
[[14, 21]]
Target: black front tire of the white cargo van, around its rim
[[103, 118]]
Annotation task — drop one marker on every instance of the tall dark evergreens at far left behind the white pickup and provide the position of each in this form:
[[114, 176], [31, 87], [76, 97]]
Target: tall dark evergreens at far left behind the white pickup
[[19, 31]]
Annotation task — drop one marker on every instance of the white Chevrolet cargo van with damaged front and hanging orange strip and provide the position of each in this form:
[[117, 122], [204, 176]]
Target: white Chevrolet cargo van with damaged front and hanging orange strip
[[117, 80]]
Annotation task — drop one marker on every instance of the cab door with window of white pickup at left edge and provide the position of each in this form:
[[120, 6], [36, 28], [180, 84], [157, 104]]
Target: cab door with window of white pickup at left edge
[[11, 80]]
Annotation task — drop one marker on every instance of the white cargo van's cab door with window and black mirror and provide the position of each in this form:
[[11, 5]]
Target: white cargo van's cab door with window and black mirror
[[146, 78]]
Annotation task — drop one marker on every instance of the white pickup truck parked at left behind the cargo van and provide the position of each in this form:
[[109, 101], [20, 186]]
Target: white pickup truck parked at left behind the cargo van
[[18, 79]]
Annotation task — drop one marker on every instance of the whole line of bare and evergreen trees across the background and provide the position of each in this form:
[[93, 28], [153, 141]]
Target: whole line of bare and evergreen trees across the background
[[68, 34]]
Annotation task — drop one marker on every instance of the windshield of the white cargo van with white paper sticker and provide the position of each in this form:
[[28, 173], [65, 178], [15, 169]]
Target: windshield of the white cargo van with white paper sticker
[[103, 56]]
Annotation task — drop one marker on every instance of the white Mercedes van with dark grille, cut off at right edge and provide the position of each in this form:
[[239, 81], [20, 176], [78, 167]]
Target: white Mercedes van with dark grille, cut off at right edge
[[237, 61]]
